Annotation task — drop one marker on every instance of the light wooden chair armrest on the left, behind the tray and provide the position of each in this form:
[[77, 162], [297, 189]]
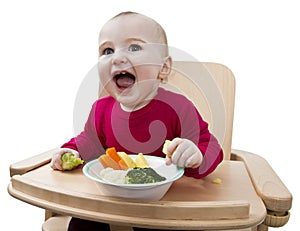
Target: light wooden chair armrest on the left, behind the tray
[[31, 163]]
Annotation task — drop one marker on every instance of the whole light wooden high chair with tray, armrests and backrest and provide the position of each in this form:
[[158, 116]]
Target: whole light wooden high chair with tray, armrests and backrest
[[243, 193]]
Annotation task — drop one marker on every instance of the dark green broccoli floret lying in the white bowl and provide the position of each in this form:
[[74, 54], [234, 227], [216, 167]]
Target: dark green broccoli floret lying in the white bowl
[[143, 176]]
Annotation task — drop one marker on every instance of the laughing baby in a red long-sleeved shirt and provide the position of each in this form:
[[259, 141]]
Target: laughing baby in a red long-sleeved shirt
[[139, 115]]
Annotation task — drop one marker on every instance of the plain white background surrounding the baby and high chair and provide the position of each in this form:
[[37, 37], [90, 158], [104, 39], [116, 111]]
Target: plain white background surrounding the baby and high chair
[[47, 48]]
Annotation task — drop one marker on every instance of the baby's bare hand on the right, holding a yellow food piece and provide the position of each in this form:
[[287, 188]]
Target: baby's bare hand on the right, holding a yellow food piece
[[184, 153]]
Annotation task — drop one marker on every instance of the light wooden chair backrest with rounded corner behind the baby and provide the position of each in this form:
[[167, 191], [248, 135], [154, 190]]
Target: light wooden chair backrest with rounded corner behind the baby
[[211, 87]]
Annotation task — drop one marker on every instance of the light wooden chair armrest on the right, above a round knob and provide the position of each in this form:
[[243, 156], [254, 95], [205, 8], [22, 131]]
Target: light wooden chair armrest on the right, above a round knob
[[267, 184]]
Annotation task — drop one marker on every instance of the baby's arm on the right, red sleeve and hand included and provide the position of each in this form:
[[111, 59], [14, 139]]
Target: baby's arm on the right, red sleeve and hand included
[[203, 149]]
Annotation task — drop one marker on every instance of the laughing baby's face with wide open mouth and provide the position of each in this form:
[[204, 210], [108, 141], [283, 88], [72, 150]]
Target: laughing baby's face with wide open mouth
[[131, 56]]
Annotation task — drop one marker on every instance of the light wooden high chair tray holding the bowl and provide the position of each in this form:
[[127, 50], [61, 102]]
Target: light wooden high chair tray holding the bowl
[[189, 204]]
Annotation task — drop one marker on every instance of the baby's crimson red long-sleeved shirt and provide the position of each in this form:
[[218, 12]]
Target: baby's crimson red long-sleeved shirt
[[167, 116]]
